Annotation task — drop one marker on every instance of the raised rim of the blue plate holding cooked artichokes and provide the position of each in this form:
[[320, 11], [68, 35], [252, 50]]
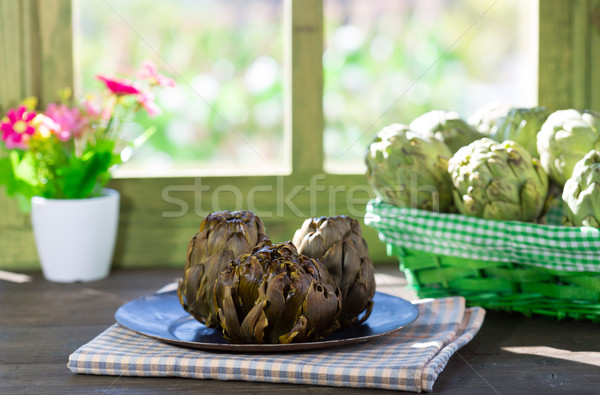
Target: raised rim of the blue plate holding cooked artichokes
[[263, 348]]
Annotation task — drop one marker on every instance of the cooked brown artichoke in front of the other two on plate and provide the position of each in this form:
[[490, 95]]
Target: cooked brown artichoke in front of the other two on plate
[[275, 295]]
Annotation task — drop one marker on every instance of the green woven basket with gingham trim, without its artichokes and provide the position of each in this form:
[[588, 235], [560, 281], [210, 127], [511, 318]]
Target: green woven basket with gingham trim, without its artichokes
[[503, 265]]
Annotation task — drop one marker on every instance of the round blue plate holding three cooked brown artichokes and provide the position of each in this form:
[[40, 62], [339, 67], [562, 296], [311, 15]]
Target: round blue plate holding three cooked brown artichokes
[[161, 316]]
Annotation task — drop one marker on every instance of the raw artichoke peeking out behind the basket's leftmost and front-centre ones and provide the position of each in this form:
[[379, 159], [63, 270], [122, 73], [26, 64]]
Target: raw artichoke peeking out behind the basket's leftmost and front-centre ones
[[447, 127]]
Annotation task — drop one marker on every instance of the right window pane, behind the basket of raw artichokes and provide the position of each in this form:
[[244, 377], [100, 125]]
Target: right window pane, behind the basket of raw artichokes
[[389, 61]]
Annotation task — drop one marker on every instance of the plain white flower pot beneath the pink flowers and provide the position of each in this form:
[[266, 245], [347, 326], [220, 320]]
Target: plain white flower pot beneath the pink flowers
[[75, 238]]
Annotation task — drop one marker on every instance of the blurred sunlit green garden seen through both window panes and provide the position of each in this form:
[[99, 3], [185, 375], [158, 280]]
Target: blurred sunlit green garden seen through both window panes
[[385, 61]]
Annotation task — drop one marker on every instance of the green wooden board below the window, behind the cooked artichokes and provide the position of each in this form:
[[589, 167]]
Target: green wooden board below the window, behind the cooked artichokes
[[158, 216]]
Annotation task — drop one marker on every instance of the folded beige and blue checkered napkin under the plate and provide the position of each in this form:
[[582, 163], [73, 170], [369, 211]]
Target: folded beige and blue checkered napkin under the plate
[[409, 359]]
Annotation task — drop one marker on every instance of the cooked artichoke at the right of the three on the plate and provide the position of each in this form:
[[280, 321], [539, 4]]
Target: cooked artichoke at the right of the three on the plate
[[338, 243]]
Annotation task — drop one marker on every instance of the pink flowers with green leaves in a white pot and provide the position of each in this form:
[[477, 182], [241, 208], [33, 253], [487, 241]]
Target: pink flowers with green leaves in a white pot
[[56, 162]]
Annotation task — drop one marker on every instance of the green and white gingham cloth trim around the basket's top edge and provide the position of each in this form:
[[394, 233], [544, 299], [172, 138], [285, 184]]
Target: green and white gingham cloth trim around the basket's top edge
[[549, 246]]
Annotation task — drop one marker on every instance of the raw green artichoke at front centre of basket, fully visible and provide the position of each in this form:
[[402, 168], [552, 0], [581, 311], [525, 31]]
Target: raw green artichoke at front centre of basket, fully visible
[[498, 181]]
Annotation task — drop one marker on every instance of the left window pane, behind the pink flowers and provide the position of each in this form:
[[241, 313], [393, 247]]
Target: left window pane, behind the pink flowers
[[226, 113]]
